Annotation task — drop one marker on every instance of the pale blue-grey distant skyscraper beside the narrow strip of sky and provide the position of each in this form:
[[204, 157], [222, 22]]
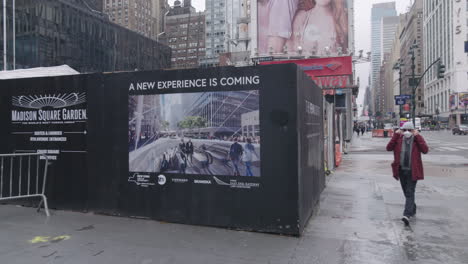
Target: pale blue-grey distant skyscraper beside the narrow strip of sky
[[378, 12]]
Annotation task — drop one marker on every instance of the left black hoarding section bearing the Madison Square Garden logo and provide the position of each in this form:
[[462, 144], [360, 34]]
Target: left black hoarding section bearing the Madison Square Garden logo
[[49, 115]]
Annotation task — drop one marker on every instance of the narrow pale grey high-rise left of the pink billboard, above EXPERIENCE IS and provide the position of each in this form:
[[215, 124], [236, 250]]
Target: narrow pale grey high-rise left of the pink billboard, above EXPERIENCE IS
[[215, 42]]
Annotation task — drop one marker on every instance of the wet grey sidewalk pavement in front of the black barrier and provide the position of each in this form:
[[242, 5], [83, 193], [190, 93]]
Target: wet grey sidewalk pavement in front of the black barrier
[[358, 222]]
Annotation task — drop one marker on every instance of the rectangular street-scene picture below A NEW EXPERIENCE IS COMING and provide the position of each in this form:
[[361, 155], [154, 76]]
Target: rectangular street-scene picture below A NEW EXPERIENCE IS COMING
[[183, 133]]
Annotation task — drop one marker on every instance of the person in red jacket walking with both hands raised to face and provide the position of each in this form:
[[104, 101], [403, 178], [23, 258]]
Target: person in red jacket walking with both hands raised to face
[[407, 145]]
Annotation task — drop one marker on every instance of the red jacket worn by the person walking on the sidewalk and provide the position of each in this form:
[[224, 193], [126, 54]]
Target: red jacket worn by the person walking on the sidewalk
[[419, 145]]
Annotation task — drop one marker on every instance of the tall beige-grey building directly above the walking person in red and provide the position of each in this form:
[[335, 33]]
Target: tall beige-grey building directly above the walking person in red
[[412, 36]]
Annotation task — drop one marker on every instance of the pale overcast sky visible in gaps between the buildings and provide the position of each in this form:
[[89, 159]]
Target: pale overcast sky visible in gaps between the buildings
[[362, 13]]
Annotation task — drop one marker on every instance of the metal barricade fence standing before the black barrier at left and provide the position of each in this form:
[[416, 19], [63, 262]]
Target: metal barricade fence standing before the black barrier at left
[[24, 176]]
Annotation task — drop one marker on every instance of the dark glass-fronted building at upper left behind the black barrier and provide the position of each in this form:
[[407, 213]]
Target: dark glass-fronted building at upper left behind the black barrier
[[50, 33]]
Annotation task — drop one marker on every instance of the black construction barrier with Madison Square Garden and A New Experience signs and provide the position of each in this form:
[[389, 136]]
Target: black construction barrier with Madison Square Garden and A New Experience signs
[[230, 147]]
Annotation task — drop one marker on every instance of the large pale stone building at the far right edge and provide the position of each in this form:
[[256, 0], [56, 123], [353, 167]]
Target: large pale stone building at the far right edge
[[445, 32]]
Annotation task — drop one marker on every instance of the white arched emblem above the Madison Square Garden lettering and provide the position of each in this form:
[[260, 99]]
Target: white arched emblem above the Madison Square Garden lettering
[[49, 101]]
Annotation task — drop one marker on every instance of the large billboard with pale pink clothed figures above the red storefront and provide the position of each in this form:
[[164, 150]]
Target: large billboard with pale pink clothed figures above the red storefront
[[315, 26]]
